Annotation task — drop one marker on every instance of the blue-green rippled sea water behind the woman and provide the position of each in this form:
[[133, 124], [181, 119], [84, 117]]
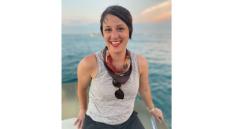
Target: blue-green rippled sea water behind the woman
[[152, 42]]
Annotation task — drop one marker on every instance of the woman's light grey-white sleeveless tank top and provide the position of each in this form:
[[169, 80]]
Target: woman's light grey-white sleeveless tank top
[[103, 106]]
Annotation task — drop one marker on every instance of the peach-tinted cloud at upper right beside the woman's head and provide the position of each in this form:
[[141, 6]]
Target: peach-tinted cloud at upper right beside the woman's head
[[154, 14]]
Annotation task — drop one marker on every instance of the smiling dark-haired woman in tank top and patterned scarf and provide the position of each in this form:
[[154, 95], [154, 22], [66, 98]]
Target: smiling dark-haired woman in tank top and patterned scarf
[[114, 76]]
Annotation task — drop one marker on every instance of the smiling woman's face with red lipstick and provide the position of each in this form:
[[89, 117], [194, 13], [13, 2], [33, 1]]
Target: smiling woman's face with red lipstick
[[115, 33]]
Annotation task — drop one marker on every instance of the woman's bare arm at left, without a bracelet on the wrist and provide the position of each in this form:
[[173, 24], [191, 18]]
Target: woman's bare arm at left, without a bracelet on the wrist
[[86, 71]]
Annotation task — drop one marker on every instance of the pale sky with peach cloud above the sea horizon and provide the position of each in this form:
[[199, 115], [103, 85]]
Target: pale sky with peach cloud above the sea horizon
[[78, 12]]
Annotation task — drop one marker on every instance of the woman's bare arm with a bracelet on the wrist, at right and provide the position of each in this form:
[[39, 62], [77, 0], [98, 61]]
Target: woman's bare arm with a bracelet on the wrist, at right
[[145, 90]]
